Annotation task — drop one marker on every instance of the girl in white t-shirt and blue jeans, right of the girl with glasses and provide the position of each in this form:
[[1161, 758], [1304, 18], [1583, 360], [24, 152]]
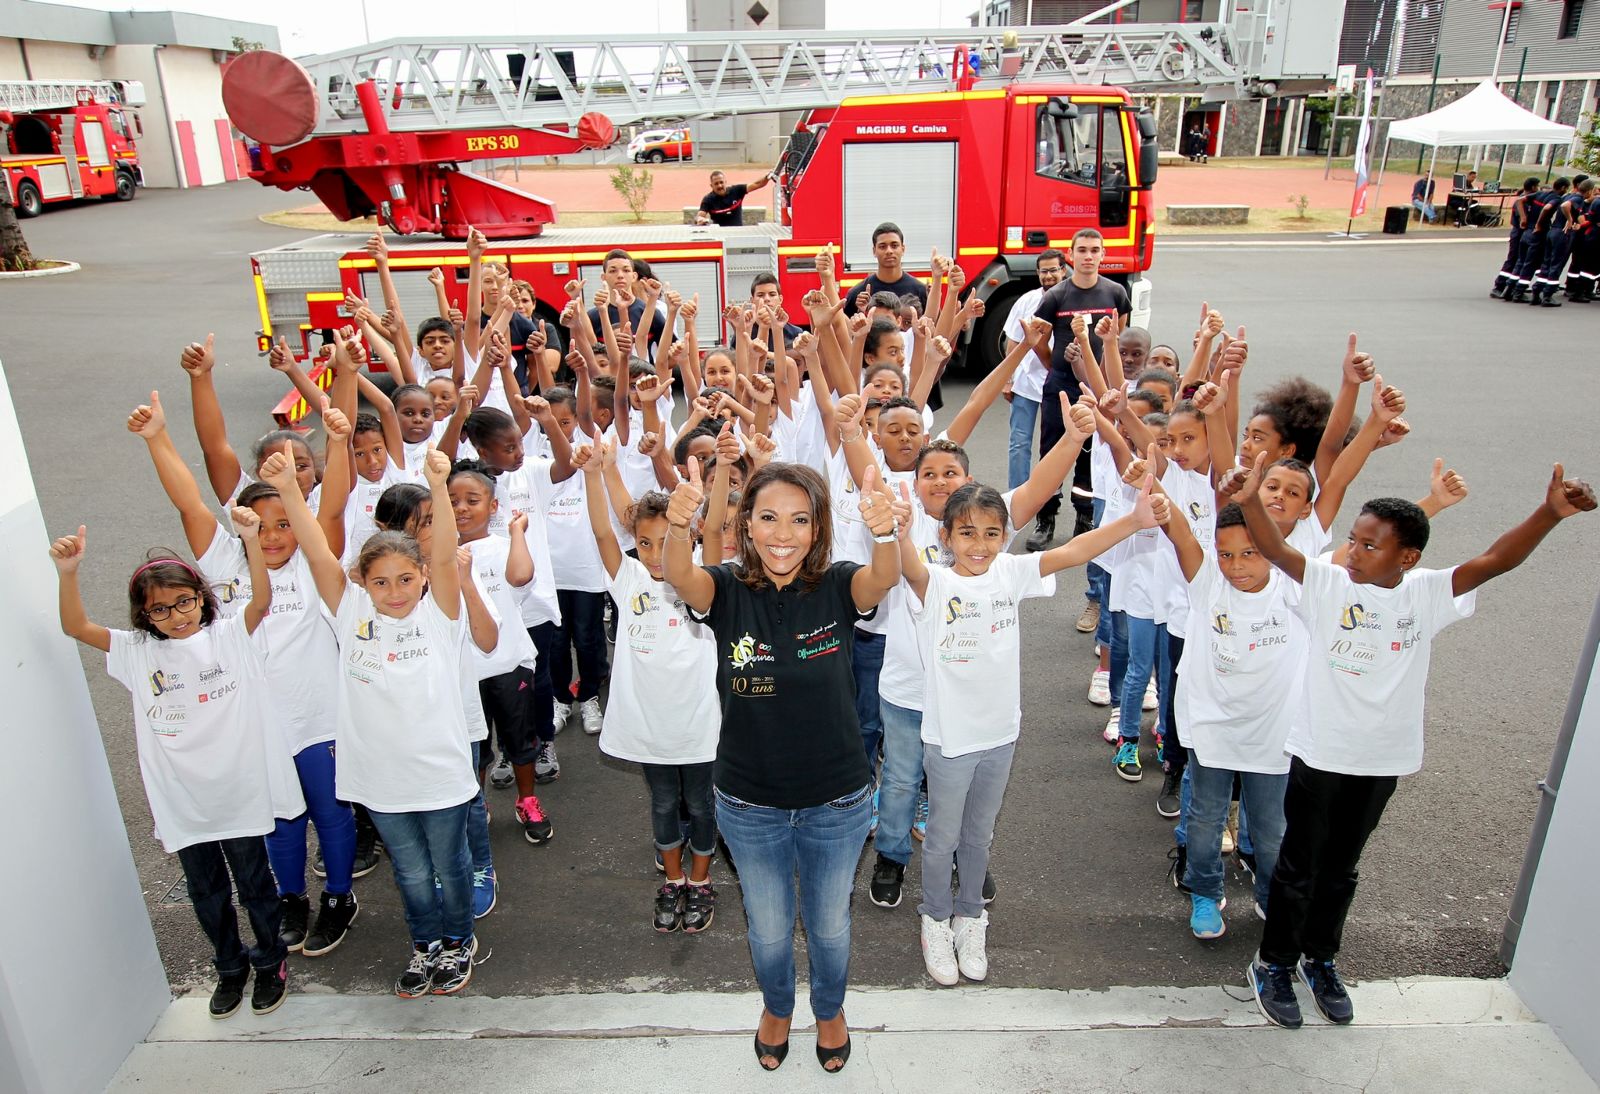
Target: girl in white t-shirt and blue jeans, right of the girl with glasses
[[402, 732]]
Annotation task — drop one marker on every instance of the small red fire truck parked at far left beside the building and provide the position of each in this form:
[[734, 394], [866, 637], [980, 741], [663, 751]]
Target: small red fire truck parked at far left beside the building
[[65, 140]]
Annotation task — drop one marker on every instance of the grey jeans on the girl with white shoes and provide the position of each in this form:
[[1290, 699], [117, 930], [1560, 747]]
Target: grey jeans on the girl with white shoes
[[964, 801]]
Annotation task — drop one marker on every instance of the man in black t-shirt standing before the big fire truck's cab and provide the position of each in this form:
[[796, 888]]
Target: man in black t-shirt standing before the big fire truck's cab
[[1092, 297]]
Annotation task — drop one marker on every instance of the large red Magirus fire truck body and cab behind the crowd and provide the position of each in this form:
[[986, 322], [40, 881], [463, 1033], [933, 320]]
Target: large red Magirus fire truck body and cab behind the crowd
[[988, 178]]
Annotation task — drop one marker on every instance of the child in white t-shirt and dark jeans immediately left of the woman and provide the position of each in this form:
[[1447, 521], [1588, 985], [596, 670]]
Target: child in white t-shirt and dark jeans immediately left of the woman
[[665, 713]]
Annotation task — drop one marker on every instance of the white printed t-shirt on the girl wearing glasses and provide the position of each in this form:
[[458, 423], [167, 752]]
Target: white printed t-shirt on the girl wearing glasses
[[212, 765]]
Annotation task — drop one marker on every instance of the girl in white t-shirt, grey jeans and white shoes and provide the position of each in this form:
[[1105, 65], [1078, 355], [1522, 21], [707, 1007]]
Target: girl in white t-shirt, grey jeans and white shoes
[[969, 623]]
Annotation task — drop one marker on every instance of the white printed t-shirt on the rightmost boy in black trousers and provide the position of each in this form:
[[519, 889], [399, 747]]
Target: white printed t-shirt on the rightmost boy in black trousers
[[1367, 669]]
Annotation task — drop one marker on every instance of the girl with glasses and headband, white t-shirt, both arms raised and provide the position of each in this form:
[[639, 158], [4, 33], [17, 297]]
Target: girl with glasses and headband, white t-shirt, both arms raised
[[217, 773]]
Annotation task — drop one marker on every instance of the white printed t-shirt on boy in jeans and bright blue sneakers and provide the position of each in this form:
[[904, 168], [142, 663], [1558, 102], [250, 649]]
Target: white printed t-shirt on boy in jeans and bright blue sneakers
[[1239, 682]]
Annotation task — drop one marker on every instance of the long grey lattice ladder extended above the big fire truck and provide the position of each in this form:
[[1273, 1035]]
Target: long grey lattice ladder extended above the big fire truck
[[526, 82]]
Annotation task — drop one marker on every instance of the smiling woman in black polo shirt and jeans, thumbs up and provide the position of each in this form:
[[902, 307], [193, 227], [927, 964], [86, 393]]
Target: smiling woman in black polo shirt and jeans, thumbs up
[[794, 791]]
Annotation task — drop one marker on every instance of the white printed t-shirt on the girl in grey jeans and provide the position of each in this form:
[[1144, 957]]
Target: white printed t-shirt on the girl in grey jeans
[[972, 642]]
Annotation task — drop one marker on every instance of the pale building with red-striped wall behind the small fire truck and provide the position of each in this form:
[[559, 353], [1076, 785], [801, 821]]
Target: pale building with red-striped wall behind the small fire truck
[[178, 58]]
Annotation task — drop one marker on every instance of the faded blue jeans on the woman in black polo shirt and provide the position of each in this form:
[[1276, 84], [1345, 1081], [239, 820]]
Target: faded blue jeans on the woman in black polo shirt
[[823, 844]]
